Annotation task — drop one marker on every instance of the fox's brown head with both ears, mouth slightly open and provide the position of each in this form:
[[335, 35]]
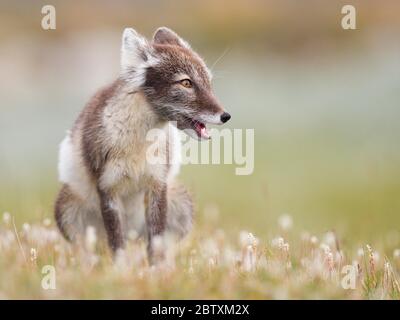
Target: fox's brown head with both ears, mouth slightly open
[[174, 79]]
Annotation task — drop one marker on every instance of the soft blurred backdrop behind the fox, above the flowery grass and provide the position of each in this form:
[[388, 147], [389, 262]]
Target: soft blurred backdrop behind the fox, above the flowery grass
[[324, 103]]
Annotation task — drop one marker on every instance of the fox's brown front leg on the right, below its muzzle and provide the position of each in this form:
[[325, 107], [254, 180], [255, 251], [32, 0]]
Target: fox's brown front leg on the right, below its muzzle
[[156, 218]]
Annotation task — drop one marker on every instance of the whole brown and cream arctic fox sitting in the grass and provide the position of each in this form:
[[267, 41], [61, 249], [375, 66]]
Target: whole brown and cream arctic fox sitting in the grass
[[107, 181]]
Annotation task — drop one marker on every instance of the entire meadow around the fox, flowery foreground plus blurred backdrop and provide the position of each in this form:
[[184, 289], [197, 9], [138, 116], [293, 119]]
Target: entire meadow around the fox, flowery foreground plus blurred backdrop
[[324, 197]]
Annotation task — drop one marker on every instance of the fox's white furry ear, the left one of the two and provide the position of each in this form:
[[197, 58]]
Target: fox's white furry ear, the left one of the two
[[134, 49]]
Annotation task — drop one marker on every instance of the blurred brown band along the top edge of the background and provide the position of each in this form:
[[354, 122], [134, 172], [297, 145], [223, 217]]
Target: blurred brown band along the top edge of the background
[[275, 25]]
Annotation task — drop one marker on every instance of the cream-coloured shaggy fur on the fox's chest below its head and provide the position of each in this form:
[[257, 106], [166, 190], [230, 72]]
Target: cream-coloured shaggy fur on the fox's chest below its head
[[141, 146]]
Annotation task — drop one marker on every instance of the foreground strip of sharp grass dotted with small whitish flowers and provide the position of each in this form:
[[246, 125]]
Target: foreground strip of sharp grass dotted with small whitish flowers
[[207, 265]]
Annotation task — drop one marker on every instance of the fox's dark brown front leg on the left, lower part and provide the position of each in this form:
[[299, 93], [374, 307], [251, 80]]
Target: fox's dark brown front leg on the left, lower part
[[111, 212]]
